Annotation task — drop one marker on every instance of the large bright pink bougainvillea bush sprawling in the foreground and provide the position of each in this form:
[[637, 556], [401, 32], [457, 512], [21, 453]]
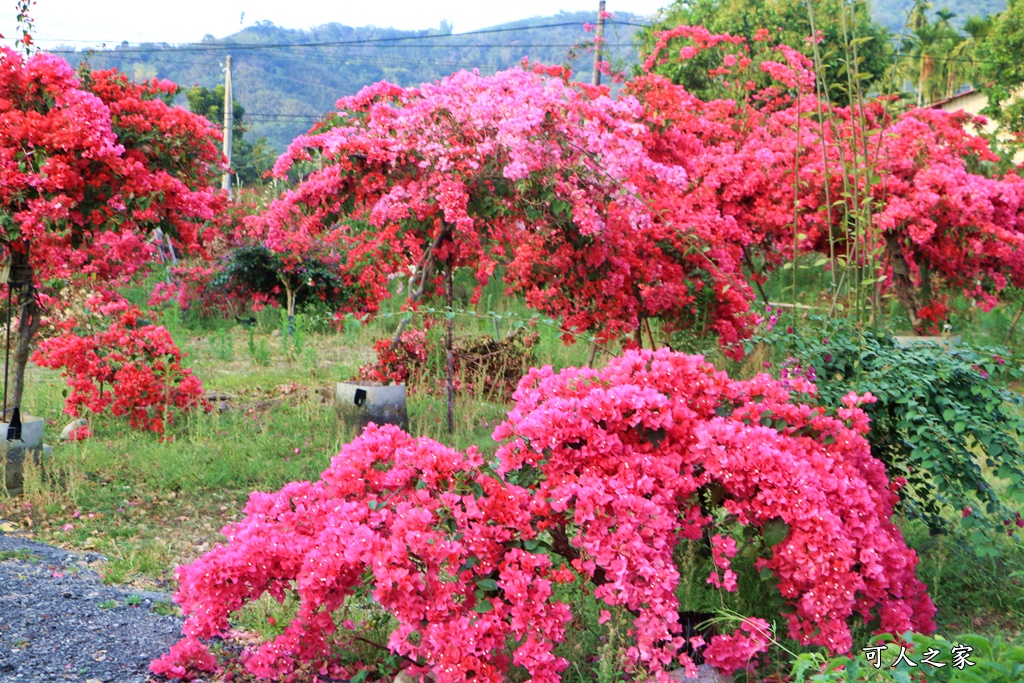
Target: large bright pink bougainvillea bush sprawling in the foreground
[[599, 477]]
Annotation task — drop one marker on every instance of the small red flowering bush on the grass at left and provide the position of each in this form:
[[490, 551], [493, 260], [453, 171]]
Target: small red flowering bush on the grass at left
[[133, 367]]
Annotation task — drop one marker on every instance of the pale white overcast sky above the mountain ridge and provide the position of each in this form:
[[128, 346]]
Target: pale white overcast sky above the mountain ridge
[[97, 22]]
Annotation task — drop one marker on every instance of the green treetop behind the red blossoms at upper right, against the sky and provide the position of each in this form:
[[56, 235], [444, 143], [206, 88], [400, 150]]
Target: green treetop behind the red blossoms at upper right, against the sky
[[745, 18]]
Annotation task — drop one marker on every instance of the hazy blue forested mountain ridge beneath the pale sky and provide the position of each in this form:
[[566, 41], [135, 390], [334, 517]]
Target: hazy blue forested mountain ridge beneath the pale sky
[[286, 78]]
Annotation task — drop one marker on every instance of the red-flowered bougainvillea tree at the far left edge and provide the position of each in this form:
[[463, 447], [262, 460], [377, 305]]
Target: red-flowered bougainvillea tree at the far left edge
[[90, 166]]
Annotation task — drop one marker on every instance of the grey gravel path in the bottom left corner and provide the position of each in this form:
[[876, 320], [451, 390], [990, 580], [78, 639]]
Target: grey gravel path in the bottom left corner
[[54, 628]]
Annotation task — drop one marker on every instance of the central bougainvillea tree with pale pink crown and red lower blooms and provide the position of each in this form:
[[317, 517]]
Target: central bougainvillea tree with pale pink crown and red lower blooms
[[524, 170]]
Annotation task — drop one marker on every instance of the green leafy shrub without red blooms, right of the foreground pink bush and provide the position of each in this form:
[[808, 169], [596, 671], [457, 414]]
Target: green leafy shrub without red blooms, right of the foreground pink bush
[[944, 420]]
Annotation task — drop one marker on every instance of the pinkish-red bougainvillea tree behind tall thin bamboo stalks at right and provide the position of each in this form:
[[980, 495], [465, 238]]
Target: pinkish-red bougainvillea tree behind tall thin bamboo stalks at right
[[907, 192]]
